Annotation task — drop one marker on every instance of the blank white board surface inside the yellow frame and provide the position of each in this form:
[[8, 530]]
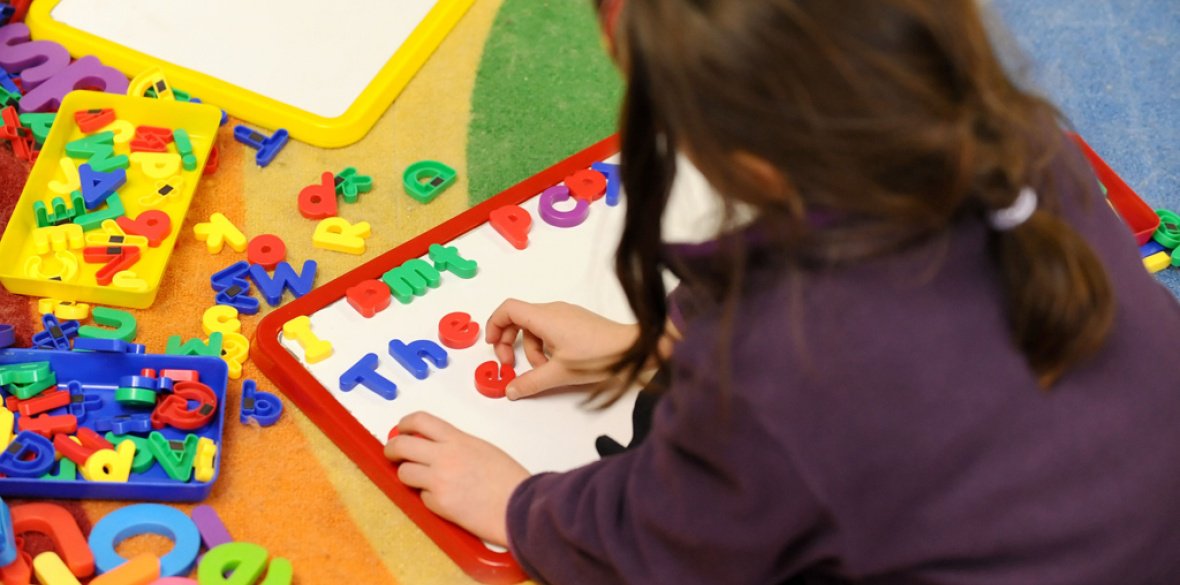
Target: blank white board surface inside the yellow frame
[[318, 57]]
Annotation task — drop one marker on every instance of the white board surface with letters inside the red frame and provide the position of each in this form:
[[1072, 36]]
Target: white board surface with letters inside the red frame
[[552, 432]]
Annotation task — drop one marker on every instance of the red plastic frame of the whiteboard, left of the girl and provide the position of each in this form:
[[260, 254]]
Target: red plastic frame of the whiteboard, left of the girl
[[298, 384]]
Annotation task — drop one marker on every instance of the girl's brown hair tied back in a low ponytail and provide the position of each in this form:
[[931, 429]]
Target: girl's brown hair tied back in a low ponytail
[[893, 116]]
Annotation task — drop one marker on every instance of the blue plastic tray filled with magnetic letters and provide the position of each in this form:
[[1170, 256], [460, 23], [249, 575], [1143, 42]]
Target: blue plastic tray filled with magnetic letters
[[102, 373]]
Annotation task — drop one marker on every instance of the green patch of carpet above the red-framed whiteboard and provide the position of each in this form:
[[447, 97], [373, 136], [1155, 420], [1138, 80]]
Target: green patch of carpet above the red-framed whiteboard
[[546, 90]]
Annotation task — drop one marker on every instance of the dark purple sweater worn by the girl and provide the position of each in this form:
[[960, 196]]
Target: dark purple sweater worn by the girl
[[903, 442]]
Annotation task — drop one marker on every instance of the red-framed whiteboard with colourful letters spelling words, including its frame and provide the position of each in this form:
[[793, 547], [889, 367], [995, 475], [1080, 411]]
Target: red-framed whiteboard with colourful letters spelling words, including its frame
[[553, 432]]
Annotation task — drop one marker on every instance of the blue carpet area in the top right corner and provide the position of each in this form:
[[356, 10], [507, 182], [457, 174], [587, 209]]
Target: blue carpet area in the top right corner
[[1113, 67]]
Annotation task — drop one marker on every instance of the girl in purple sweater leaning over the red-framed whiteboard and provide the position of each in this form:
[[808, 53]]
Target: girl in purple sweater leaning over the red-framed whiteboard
[[929, 354]]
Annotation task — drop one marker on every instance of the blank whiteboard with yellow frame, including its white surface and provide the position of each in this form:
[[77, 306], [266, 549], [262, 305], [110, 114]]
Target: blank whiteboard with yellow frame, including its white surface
[[324, 71]]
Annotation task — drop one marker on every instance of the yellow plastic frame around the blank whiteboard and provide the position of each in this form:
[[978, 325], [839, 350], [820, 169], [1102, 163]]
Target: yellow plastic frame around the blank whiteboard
[[255, 108]]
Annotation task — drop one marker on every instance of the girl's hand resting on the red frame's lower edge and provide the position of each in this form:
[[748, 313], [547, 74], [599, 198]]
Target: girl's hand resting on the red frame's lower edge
[[463, 479]]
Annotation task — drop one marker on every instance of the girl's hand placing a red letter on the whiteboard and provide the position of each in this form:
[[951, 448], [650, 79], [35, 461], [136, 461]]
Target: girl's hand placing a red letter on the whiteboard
[[566, 345]]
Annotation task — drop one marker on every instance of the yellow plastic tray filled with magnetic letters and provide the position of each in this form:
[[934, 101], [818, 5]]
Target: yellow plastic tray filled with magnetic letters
[[17, 246]]
